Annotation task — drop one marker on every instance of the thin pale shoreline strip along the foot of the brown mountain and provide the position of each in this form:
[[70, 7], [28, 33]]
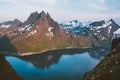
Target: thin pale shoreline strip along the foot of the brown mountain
[[45, 51]]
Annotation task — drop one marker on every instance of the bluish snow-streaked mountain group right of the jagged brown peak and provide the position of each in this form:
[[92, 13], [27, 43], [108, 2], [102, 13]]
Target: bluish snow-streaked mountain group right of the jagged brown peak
[[101, 32]]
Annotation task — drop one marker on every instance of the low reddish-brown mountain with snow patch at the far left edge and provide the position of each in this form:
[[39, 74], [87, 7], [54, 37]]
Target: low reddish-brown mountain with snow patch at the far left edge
[[10, 28]]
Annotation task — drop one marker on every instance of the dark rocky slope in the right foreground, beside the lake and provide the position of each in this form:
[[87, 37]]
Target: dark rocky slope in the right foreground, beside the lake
[[109, 67]]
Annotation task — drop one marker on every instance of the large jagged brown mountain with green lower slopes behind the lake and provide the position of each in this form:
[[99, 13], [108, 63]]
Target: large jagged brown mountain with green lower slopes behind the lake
[[41, 33]]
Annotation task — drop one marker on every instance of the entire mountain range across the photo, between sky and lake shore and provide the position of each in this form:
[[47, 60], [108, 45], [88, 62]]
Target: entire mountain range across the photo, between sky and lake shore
[[41, 33]]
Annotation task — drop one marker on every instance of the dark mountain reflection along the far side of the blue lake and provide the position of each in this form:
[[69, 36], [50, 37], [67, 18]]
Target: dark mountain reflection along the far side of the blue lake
[[49, 58]]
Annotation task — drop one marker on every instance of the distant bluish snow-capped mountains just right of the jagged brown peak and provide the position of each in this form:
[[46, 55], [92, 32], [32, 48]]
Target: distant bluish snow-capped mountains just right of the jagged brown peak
[[76, 27]]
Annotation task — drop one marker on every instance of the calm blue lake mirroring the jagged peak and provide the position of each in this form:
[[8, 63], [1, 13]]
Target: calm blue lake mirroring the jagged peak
[[53, 66]]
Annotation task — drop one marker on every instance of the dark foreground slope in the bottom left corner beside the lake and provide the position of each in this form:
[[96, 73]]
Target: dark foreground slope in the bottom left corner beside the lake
[[6, 71]]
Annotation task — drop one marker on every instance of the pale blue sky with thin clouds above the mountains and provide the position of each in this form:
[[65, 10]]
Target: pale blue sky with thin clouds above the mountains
[[60, 10]]
